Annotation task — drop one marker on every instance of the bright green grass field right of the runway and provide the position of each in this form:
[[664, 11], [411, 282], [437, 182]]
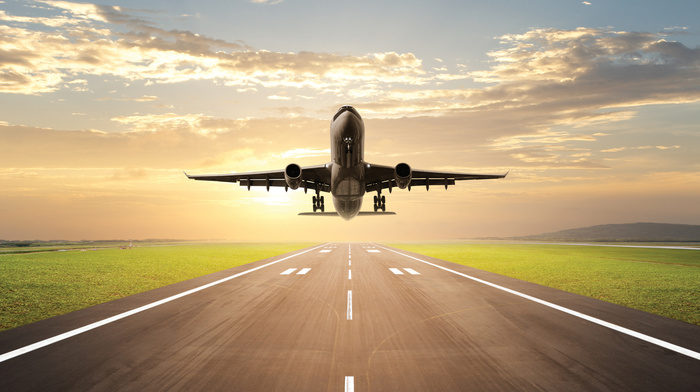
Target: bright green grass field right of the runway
[[659, 281]]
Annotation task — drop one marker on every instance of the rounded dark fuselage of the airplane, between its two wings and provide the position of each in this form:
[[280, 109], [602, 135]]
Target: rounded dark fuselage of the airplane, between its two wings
[[347, 162]]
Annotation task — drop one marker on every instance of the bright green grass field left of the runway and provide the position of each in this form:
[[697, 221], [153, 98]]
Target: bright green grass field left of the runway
[[36, 286]]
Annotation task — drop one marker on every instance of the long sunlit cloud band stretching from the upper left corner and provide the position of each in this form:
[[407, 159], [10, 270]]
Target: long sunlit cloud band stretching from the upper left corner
[[87, 39]]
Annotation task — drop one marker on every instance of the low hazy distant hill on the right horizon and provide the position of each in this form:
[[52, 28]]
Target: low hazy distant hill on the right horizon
[[631, 232]]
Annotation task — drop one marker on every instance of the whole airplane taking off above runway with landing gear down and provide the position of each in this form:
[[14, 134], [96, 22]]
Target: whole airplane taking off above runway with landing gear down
[[347, 176]]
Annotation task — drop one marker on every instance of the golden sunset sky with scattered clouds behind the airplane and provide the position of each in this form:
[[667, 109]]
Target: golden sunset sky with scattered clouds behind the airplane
[[592, 106]]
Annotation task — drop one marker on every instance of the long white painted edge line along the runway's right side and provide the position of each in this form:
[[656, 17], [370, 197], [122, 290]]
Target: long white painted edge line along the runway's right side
[[626, 331]]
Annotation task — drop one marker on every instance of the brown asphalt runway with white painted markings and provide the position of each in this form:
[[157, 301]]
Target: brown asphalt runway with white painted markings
[[353, 317]]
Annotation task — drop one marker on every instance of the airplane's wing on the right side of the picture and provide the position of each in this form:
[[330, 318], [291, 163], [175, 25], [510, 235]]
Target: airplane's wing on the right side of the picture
[[382, 177]]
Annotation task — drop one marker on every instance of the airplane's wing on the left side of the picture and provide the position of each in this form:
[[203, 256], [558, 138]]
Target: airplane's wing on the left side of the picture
[[311, 177]]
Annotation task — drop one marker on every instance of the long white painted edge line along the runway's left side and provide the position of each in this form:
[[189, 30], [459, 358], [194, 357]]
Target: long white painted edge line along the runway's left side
[[78, 331]]
